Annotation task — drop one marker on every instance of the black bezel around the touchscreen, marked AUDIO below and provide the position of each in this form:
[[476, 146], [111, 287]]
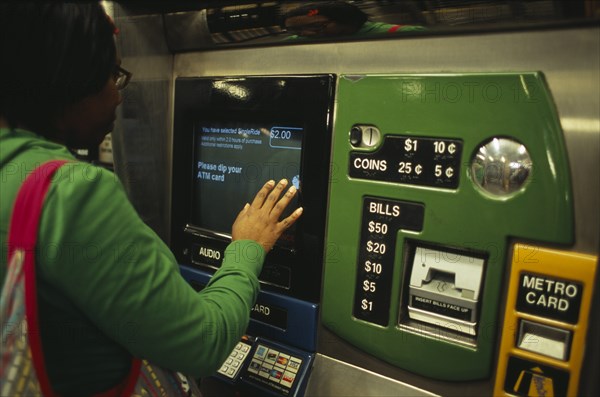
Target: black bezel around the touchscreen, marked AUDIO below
[[301, 100]]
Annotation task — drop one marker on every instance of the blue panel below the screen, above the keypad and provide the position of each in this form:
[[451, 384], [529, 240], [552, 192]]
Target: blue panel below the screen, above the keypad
[[300, 328]]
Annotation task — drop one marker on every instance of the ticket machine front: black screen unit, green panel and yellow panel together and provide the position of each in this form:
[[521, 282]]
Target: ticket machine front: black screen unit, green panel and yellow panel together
[[434, 190]]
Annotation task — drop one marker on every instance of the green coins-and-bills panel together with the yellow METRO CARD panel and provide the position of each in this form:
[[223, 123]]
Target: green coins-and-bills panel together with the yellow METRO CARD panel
[[438, 182]]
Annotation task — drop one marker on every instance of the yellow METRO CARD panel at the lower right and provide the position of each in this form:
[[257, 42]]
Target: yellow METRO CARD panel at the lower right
[[546, 287]]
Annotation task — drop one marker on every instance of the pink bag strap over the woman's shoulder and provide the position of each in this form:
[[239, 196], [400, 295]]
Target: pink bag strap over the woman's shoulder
[[22, 235]]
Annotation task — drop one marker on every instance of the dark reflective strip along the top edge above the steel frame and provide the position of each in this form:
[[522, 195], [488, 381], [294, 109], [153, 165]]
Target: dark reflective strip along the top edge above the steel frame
[[249, 23]]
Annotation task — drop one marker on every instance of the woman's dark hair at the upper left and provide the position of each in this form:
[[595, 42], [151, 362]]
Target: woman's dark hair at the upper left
[[53, 55]]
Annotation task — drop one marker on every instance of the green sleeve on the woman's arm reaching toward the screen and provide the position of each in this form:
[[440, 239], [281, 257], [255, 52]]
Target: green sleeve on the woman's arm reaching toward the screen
[[121, 275]]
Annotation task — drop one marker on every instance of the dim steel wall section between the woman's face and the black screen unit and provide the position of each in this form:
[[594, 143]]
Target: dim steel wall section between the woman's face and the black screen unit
[[142, 137]]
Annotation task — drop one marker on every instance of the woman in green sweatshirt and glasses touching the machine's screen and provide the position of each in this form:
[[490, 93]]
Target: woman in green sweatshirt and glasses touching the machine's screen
[[108, 287]]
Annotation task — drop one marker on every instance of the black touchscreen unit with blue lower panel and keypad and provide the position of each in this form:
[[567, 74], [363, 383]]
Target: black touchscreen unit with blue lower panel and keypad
[[231, 136]]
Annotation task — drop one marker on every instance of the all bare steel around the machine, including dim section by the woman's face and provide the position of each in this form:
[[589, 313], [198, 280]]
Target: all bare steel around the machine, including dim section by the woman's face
[[569, 58]]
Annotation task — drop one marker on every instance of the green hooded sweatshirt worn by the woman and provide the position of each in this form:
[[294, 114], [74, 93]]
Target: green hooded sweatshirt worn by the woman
[[108, 286]]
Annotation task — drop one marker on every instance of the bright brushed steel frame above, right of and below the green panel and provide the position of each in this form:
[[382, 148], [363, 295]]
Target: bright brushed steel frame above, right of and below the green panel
[[570, 61]]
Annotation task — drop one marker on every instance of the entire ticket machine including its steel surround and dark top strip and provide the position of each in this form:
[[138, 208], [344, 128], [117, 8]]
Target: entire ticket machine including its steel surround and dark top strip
[[449, 180]]
